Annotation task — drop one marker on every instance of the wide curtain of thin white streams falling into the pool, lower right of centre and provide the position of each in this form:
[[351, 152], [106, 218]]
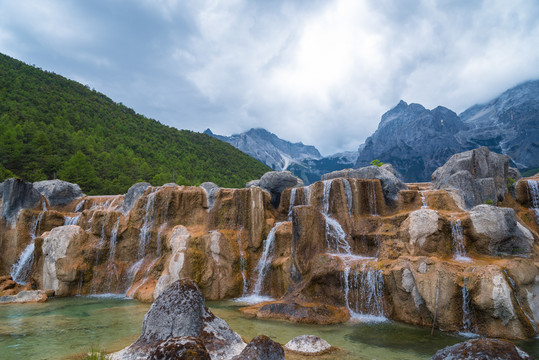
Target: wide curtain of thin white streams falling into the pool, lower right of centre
[[364, 291]]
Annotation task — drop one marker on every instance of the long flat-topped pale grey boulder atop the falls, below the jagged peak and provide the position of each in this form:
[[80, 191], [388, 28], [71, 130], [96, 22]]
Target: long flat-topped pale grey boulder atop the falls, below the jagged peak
[[391, 184]]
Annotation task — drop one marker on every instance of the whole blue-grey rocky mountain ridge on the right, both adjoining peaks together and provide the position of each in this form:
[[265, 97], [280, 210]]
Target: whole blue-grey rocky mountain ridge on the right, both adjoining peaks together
[[417, 141]]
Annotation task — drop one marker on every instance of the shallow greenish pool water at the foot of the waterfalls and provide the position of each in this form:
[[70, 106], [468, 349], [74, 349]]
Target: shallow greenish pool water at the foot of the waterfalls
[[65, 328]]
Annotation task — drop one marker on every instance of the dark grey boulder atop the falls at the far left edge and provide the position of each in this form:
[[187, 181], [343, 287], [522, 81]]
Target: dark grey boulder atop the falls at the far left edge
[[18, 195]]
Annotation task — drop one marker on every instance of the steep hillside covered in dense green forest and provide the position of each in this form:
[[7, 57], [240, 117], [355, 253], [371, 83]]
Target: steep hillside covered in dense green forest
[[52, 127]]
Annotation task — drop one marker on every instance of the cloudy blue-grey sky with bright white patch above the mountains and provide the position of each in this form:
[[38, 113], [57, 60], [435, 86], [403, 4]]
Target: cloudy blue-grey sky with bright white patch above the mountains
[[319, 72]]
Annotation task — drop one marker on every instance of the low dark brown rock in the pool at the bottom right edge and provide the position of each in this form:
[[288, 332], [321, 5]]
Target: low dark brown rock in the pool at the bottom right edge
[[482, 349]]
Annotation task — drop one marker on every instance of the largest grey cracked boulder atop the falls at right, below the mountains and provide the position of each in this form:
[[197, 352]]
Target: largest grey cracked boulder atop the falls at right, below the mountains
[[477, 176]]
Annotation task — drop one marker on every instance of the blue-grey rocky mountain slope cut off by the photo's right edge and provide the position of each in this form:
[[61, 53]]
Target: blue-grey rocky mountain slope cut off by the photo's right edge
[[509, 124]]
